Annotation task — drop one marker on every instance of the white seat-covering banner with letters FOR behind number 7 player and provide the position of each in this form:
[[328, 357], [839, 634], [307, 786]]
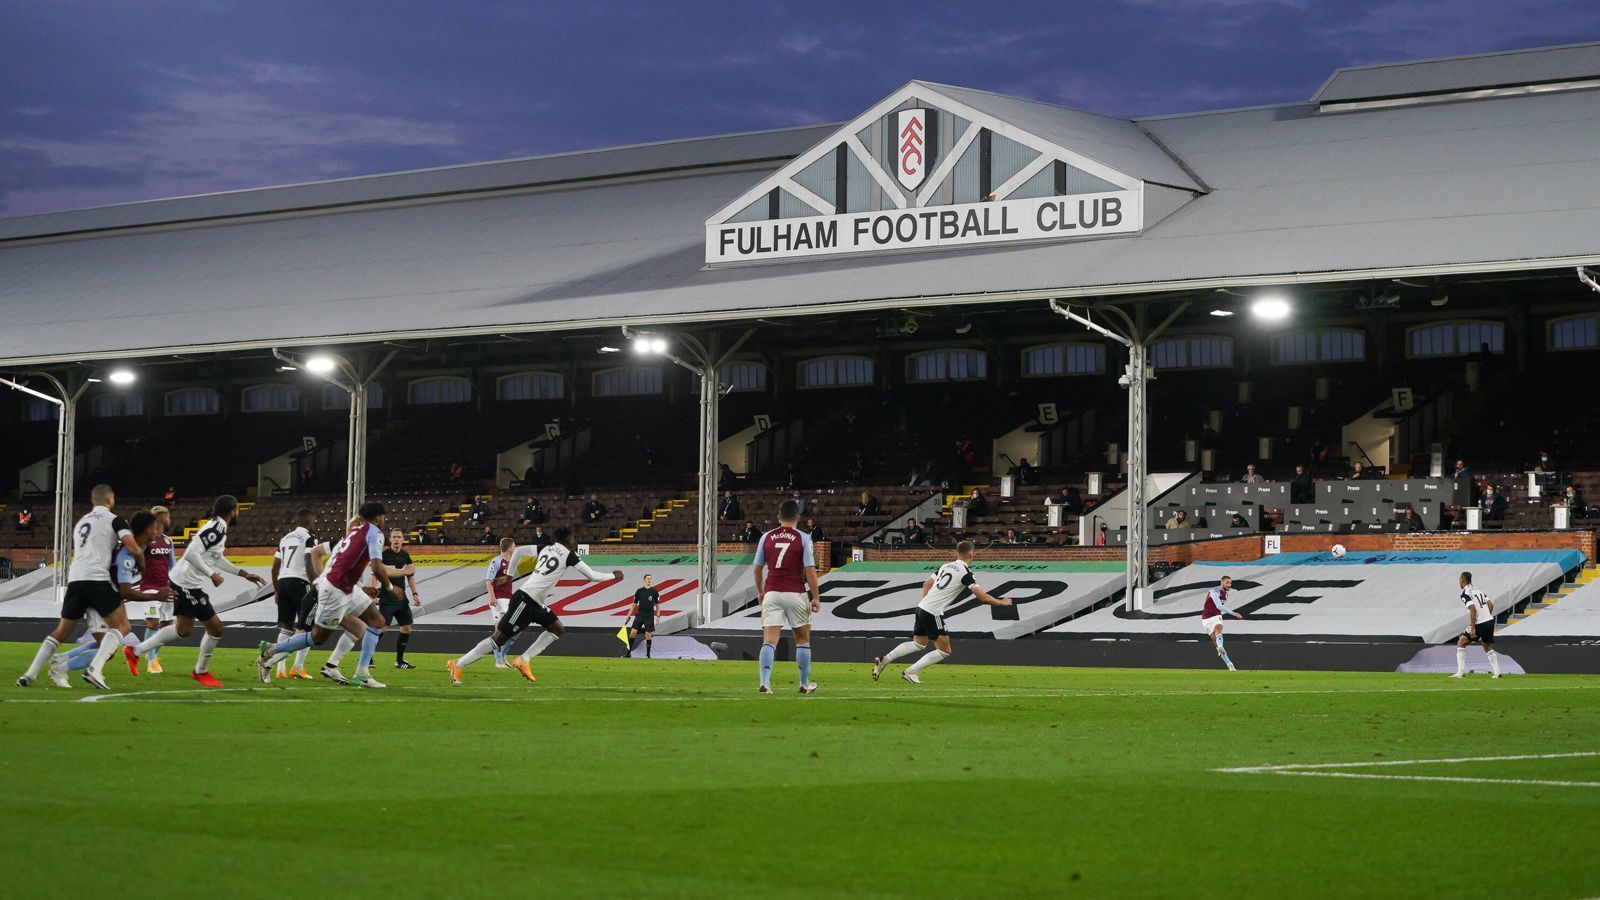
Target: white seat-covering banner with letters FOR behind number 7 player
[[881, 598]]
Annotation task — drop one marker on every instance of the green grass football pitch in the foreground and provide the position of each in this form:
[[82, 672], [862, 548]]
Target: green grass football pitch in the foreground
[[674, 779]]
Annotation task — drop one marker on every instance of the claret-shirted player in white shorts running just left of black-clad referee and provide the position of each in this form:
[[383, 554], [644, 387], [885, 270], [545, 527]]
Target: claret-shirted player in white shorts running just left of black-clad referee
[[343, 601]]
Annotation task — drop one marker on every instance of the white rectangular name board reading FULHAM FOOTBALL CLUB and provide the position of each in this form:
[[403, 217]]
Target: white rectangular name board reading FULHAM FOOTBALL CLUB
[[1036, 219]]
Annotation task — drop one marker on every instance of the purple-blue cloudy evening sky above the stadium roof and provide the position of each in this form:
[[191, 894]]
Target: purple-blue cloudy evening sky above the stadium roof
[[114, 102]]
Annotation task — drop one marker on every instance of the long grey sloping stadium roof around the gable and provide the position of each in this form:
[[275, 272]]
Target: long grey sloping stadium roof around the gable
[[1254, 196]]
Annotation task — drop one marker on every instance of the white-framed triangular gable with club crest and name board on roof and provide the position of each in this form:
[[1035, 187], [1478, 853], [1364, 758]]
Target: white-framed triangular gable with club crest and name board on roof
[[924, 171]]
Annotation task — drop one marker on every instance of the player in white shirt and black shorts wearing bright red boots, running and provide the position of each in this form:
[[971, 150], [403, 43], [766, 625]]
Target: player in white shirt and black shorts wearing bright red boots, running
[[201, 568]]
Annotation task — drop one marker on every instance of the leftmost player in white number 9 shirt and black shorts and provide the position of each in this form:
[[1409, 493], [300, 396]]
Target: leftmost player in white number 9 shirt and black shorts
[[97, 539]]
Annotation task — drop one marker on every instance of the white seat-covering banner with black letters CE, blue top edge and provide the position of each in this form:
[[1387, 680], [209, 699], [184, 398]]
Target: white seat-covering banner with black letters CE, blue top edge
[[1410, 597]]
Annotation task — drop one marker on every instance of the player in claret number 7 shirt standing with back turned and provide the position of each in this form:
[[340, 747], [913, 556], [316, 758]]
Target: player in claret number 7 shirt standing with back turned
[[785, 573]]
